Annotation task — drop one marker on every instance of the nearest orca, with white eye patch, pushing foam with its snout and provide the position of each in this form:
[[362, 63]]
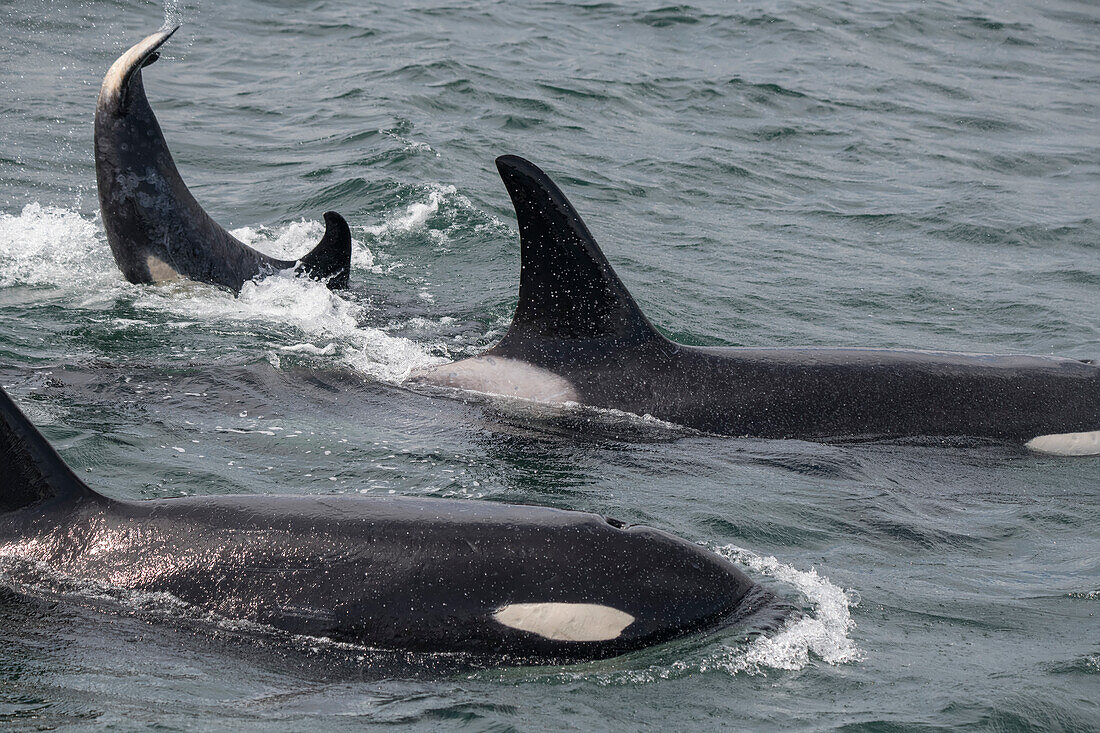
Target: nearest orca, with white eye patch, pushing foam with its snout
[[491, 581]]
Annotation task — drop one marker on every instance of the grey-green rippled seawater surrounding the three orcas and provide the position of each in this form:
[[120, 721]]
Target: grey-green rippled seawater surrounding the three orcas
[[903, 173]]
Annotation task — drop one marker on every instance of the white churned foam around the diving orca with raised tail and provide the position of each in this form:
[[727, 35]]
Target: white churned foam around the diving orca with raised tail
[[57, 247]]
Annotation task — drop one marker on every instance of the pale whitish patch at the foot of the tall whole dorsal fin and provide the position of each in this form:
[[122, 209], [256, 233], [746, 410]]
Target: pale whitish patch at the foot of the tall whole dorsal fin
[[510, 378]]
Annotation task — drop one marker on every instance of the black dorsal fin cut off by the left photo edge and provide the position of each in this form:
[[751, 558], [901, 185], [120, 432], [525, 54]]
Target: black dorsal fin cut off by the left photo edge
[[31, 472]]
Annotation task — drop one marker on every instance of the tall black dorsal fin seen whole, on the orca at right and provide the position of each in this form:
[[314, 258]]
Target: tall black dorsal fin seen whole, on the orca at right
[[568, 291]]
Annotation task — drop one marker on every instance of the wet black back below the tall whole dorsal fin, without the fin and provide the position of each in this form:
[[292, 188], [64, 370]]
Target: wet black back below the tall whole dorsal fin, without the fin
[[835, 393]]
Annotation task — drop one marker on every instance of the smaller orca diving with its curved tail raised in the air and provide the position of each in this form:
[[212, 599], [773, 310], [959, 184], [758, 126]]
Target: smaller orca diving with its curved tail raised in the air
[[157, 229]]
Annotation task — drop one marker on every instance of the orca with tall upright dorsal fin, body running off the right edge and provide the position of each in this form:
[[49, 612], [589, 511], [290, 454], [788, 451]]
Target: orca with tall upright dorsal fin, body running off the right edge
[[579, 337]]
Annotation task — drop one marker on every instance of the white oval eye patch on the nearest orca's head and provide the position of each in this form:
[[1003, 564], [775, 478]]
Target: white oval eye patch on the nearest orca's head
[[566, 622]]
